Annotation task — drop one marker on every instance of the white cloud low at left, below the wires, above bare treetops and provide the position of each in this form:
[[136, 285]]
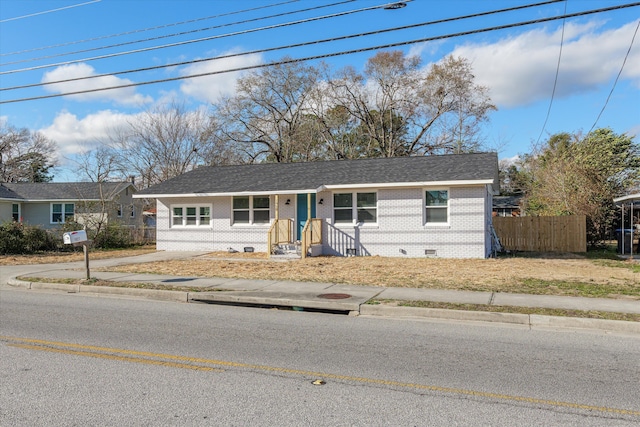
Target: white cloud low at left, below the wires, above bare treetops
[[74, 135]]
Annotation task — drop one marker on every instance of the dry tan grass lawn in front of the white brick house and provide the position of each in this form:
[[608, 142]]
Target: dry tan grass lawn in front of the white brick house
[[546, 275]]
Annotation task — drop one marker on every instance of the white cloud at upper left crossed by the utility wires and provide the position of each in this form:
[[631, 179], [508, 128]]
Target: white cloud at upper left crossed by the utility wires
[[122, 96]]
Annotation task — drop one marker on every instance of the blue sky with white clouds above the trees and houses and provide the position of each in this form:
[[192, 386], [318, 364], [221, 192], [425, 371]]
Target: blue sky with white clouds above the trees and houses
[[44, 41]]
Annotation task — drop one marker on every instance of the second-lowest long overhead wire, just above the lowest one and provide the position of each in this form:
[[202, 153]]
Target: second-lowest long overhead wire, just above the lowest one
[[253, 52]]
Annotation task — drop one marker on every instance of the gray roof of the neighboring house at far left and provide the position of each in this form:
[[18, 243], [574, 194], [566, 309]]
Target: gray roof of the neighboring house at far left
[[61, 190]]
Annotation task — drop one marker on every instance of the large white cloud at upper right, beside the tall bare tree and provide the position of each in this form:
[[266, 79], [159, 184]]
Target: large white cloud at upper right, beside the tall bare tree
[[521, 70]]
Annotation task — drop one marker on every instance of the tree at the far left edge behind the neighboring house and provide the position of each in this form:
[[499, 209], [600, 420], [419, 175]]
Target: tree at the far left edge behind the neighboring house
[[25, 156]]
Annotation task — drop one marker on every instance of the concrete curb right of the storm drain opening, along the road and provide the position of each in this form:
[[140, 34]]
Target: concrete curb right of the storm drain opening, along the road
[[531, 320]]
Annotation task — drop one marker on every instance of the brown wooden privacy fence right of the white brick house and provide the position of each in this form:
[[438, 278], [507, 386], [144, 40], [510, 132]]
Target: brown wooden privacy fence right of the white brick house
[[542, 233]]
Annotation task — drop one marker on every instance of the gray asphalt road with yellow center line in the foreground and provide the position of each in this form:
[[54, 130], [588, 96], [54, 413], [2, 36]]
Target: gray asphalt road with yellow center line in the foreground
[[72, 359]]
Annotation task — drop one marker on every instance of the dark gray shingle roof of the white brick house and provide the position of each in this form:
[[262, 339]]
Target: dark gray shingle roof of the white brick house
[[282, 177]]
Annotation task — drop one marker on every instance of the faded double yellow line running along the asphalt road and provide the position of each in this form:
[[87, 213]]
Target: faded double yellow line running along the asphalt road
[[37, 344]]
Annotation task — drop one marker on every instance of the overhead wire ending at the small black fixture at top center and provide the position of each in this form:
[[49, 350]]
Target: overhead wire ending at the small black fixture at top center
[[237, 33]]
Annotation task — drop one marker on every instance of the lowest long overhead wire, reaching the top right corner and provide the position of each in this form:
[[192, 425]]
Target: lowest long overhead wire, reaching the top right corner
[[334, 54]]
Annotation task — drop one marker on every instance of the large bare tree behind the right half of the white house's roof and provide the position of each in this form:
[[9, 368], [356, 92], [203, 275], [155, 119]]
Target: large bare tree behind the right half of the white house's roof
[[405, 110]]
